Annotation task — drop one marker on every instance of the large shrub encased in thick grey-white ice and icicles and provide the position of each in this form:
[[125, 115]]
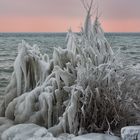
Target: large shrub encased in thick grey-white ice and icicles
[[84, 88]]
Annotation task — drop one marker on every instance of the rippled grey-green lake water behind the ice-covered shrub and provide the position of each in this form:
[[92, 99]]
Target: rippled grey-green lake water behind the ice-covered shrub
[[129, 45]]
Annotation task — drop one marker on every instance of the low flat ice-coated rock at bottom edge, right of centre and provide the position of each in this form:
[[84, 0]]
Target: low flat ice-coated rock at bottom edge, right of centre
[[96, 136]]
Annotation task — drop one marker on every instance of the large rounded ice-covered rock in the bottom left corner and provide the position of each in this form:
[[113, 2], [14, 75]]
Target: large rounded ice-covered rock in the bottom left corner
[[25, 132]]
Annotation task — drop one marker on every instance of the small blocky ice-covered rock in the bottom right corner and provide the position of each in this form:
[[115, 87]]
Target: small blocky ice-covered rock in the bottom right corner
[[130, 133]]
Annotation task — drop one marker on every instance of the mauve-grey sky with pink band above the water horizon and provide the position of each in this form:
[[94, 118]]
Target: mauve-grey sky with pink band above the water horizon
[[59, 15]]
